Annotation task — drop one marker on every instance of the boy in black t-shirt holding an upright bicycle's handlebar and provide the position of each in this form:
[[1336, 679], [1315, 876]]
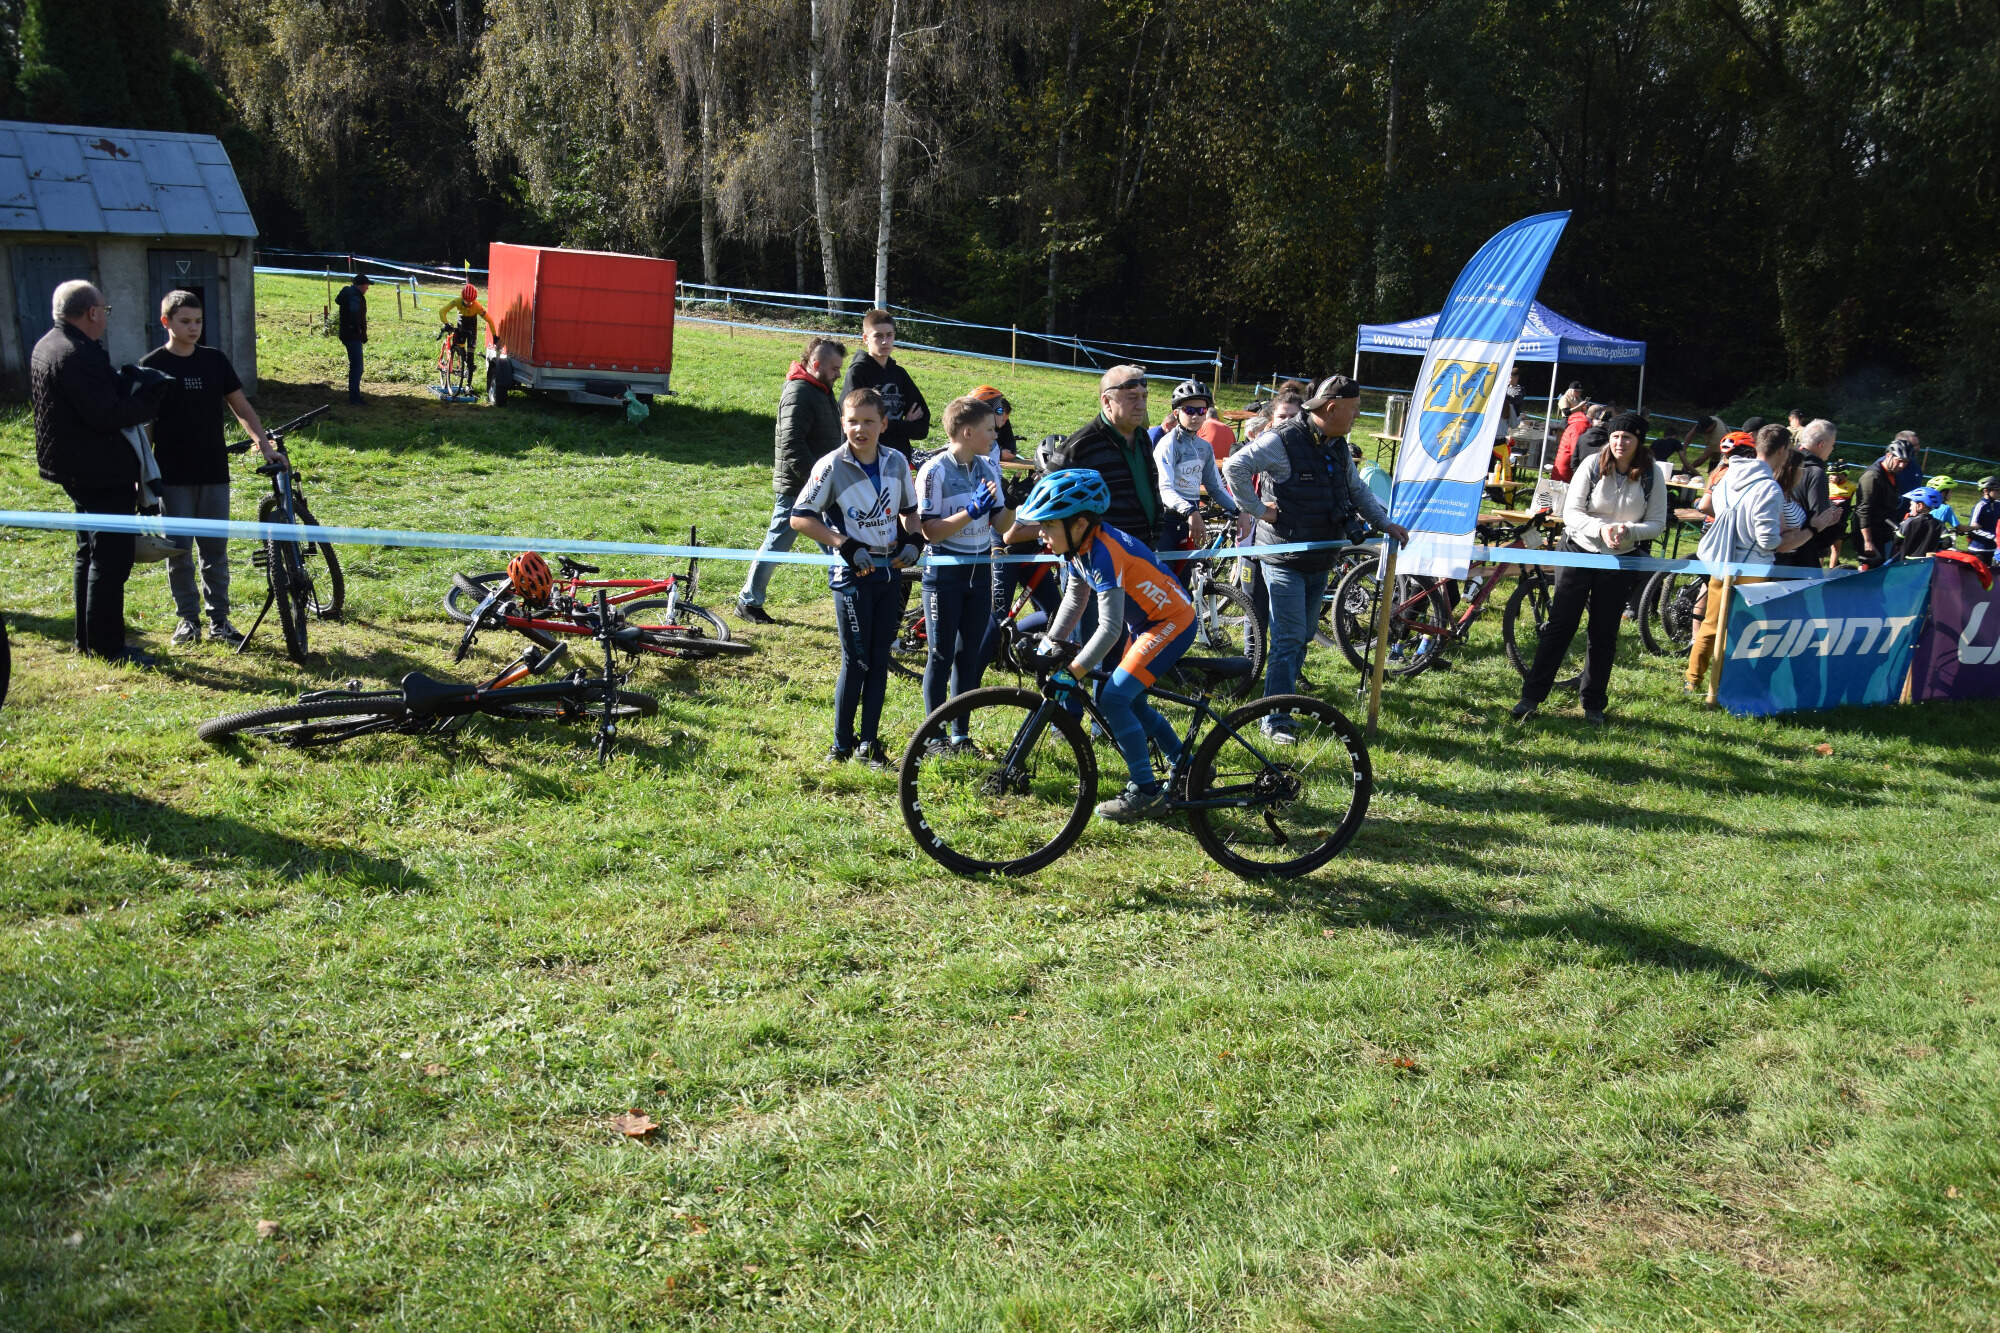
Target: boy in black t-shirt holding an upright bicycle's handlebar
[[195, 473]]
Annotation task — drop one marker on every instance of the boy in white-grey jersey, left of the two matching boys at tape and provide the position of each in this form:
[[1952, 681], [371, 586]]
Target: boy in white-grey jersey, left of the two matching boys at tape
[[863, 503]]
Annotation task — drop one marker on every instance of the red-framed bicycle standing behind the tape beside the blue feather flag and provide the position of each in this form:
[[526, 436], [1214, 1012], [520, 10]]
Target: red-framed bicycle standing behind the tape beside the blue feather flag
[[1423, 623]]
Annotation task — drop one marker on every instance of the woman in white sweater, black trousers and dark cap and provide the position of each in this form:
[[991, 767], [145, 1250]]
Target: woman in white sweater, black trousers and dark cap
[[1617, 505]]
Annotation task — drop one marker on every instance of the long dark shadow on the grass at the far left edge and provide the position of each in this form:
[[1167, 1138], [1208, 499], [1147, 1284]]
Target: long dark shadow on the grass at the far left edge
[[117, 818]]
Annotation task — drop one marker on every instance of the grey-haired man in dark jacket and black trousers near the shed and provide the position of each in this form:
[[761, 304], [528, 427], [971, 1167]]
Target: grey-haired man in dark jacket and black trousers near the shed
[[81, 413]]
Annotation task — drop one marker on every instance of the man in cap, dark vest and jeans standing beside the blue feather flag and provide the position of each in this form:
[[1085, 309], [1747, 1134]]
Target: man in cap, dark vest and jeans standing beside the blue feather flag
[[1299, 485]]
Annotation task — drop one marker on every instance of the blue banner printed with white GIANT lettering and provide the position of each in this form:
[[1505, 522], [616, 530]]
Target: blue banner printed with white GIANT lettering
[[1841, 641]]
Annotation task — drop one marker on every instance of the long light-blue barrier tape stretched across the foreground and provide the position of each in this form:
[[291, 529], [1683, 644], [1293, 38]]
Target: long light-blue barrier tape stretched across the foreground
[[55, 521]]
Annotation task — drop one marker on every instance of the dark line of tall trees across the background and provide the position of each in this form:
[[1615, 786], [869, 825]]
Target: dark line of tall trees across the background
[[1793, 193]]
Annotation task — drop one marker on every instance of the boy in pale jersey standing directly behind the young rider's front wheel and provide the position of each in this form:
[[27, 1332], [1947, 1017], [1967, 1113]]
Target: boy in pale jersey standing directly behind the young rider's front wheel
[[959, 493]]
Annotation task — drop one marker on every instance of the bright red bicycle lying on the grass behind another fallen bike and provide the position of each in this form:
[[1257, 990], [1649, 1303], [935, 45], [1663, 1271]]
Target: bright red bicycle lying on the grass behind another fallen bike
[[647, 615]]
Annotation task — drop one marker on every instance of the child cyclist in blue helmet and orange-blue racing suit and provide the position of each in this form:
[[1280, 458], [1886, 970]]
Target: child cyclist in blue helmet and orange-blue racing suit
[[1133, 591]]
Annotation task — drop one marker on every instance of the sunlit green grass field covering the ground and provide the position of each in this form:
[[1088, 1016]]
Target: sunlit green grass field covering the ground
[[1689, 1022]]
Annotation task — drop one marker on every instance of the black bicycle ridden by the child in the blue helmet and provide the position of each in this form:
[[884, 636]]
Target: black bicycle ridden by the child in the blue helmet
[[1021, 790]]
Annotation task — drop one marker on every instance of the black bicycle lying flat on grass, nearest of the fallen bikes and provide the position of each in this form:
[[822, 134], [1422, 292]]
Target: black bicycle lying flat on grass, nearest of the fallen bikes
[[423, 706]]
